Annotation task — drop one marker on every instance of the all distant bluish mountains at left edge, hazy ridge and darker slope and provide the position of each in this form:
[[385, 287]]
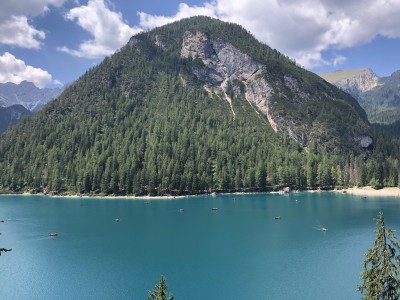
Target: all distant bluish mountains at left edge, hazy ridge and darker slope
[[18, 100]]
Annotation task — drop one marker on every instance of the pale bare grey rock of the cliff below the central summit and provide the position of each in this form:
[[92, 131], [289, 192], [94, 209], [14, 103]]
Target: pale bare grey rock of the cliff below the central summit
[[224, 64]]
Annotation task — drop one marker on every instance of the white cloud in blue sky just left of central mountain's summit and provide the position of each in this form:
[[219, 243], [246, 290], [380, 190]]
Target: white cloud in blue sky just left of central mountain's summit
[[107, 27]]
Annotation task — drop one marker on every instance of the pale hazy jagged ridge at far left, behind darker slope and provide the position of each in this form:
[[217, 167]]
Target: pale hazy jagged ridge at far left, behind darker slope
[[27, 95]]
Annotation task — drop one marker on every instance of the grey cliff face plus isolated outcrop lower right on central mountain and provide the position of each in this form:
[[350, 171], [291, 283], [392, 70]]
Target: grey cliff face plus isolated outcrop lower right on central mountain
[[225, 66]]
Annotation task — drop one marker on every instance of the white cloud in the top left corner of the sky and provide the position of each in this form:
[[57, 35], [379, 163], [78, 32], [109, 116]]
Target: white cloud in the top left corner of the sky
[[15, 29]]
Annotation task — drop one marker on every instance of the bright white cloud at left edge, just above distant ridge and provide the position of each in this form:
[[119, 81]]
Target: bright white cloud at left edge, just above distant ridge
[[15, 70]]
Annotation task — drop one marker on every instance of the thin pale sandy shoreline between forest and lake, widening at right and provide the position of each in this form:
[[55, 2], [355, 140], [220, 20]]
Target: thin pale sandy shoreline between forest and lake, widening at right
[[356, 191]]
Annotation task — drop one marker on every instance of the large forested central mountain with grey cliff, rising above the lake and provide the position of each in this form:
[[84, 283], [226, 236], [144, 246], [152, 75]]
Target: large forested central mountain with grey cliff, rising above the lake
[[197, 105]]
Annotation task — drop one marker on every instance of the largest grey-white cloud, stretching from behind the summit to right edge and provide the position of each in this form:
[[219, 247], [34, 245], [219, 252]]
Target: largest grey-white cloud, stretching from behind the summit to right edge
[[303, 29]]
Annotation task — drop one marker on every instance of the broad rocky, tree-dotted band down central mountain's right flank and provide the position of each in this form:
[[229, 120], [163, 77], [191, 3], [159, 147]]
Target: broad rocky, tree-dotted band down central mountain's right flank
[[290, 105]]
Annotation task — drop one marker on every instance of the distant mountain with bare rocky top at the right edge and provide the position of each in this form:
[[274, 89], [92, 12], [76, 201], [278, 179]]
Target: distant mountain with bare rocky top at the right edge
[[379, 96]]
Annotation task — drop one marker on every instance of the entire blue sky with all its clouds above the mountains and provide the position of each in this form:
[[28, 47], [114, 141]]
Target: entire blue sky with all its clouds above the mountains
[[53, 42]]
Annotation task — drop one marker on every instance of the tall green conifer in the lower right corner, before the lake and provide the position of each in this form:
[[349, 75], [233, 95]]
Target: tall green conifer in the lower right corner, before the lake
[[381, 266]]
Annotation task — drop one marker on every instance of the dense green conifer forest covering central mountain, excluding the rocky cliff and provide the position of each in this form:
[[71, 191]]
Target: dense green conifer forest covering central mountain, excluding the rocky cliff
[[132, 125]]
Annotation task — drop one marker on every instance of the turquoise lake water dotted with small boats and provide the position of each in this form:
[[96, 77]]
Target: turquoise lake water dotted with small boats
[[239, 251]]
